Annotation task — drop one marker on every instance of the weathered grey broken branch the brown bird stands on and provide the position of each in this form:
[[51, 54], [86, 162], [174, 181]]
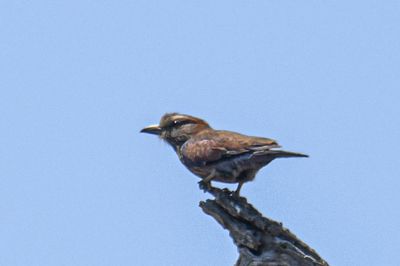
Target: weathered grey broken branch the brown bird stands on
[[260, 240]]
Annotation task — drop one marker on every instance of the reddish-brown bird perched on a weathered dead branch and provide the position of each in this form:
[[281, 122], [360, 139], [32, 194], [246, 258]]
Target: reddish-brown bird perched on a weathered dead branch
[[216, 155]]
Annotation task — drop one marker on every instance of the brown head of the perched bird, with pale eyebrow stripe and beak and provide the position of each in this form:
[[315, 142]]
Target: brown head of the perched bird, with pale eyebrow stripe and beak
[[176, 128]]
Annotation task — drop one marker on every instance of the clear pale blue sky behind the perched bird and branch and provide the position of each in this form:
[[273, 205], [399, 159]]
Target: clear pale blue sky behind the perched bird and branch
[[79, 185]]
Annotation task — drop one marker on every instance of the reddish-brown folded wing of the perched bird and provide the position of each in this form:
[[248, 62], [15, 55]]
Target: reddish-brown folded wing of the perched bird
[[223, 144]]
